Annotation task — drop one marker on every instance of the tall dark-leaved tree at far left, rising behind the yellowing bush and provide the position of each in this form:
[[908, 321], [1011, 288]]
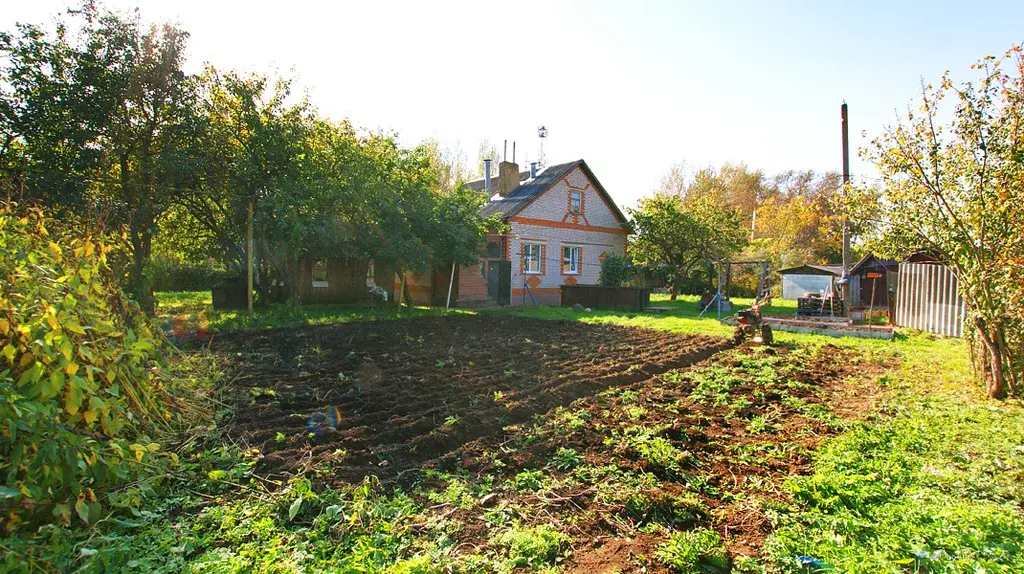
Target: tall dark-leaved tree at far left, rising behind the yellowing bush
[[96, 121]]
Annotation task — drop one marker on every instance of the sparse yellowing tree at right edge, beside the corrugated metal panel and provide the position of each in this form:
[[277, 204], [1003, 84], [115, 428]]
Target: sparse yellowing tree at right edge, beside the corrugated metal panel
[[955, 180]]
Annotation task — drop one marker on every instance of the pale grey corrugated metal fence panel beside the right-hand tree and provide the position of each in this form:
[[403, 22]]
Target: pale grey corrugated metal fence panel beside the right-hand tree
[[928, 298]]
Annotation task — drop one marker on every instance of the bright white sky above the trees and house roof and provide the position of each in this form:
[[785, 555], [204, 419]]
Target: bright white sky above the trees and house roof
[[631, 87]]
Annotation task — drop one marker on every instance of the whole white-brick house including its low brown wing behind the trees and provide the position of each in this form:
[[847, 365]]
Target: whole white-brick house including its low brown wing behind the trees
[[561, 226]]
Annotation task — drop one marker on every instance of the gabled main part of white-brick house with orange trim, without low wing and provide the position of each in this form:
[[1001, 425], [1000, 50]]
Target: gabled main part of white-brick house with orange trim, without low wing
[[562, 226]]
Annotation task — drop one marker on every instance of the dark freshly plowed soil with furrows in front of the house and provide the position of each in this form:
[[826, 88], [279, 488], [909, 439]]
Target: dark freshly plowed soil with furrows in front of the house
[[386, 398]]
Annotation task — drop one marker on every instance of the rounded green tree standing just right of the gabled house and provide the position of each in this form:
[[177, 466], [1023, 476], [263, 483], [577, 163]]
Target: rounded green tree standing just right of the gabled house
[[684, 235]]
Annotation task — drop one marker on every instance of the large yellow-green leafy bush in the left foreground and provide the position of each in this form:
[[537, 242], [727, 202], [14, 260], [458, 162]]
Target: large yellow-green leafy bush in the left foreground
[[80, 386]]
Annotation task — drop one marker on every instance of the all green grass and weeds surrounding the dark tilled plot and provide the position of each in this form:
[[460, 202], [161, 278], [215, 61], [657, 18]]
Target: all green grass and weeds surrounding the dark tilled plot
[[933, 481]]
